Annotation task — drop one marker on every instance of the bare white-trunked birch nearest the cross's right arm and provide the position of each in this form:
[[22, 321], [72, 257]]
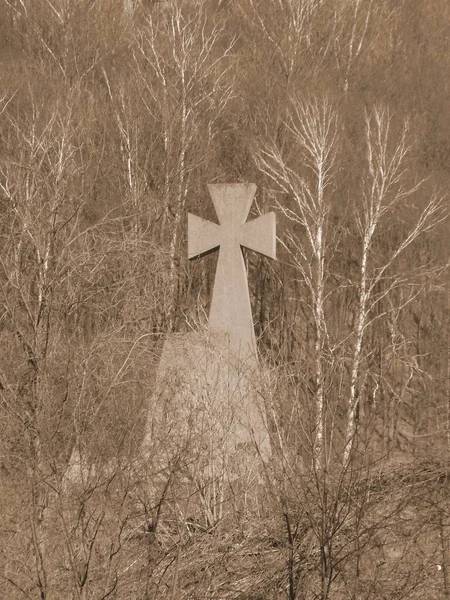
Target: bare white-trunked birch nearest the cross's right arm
[[313, 127]]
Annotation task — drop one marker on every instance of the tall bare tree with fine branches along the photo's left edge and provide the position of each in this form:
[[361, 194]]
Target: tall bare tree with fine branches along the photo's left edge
[[41, 184]]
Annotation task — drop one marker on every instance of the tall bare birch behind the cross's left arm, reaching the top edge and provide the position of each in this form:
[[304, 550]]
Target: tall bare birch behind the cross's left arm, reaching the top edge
[[183, 60]]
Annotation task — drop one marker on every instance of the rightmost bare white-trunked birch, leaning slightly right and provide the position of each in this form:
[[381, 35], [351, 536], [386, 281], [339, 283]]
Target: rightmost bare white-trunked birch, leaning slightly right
[[387, 187]]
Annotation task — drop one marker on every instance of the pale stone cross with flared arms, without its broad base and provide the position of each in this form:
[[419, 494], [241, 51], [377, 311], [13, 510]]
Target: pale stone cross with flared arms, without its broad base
[[230, 311]]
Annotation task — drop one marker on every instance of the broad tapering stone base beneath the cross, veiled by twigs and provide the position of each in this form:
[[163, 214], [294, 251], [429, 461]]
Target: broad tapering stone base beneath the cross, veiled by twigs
[[209, 391]]
